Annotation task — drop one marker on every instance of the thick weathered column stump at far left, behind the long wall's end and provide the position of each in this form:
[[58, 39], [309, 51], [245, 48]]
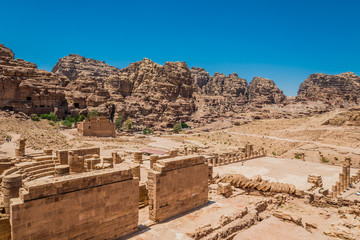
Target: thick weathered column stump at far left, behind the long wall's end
[[10, 189]]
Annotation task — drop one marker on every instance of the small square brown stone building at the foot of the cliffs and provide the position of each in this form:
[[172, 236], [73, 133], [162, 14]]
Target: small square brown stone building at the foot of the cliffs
[[97, 127]]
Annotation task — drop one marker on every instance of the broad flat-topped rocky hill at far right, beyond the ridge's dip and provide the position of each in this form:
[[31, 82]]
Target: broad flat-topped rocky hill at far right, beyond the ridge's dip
[[333, 89]]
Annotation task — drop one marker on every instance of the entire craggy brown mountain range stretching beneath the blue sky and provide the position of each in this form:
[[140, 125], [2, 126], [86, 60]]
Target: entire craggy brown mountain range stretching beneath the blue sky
[[159, 95]]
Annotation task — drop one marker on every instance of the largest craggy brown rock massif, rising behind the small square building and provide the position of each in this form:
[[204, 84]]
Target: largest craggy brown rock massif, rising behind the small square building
[[148, 92]]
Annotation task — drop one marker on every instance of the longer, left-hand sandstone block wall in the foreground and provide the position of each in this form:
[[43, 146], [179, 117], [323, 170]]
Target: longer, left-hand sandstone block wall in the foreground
[[94, 205]]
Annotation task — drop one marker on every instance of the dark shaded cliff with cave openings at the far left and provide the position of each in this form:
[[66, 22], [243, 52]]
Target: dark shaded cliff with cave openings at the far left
[[27, 89]]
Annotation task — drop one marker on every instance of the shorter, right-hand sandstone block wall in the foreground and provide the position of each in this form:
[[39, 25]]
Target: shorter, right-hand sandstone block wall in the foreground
[[177, 185]]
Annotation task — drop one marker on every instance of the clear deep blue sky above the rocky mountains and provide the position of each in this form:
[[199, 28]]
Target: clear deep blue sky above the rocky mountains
[[282, 40]]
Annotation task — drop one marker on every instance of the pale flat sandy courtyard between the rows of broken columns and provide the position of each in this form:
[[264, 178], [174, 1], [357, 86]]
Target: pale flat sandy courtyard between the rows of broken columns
[[284, 170]]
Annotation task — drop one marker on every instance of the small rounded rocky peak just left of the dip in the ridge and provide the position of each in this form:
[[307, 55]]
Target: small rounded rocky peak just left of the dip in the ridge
[[264, 91]]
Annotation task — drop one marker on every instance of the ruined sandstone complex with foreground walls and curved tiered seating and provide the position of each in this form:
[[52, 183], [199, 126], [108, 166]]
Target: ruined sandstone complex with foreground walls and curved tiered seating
[[41, 189]]
